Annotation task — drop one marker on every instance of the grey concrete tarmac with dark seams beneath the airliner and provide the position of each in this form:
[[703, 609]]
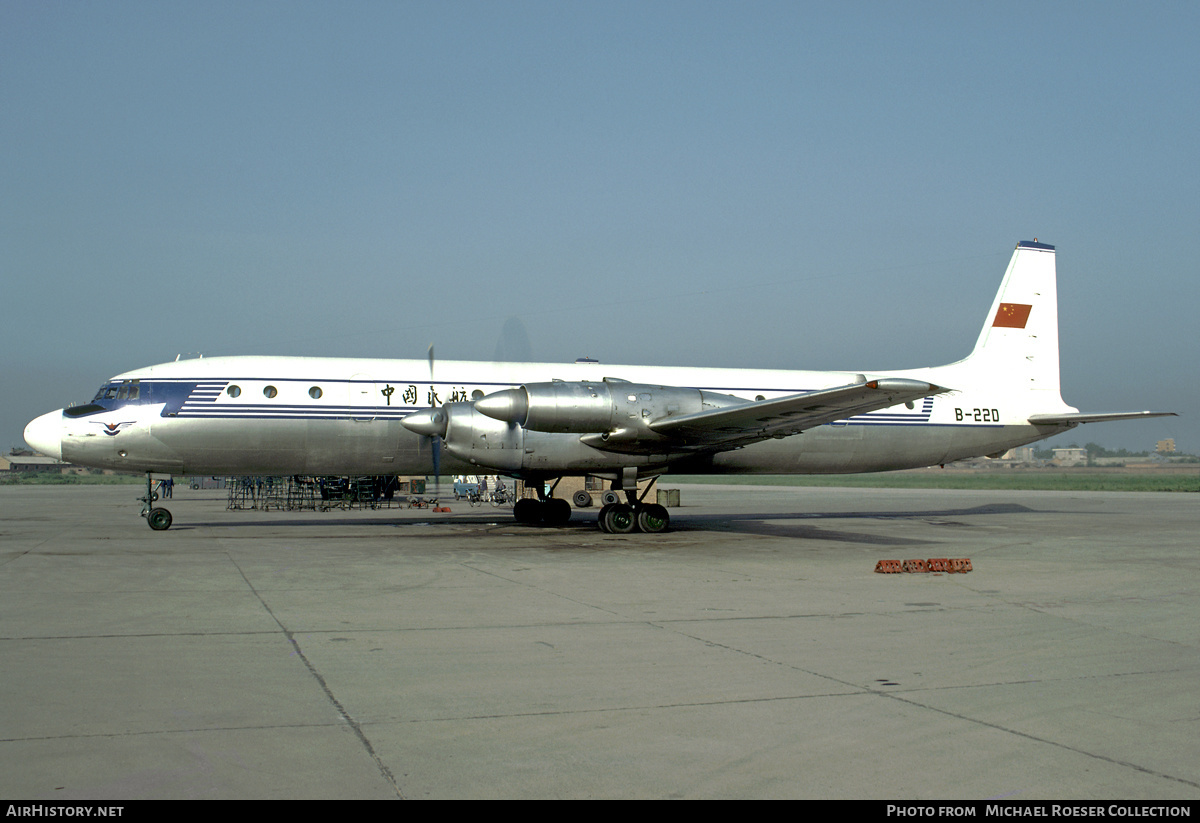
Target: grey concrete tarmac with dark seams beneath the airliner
[[749, 653]]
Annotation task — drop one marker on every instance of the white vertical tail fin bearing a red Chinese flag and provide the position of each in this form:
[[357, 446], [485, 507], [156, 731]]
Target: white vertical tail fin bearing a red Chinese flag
[[1018, 346]]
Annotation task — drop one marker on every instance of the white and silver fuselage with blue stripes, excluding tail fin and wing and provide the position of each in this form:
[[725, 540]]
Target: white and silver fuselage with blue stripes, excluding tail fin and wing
[[317, 416]]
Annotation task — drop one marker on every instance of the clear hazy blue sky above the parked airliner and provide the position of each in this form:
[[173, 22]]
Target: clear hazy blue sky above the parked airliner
[[803, 185]]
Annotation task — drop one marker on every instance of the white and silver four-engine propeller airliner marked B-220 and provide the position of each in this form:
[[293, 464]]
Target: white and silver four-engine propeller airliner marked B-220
[[253, 416]]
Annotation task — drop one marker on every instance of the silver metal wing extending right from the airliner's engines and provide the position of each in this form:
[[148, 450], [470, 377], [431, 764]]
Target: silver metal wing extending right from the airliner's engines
[[736, 426]]
